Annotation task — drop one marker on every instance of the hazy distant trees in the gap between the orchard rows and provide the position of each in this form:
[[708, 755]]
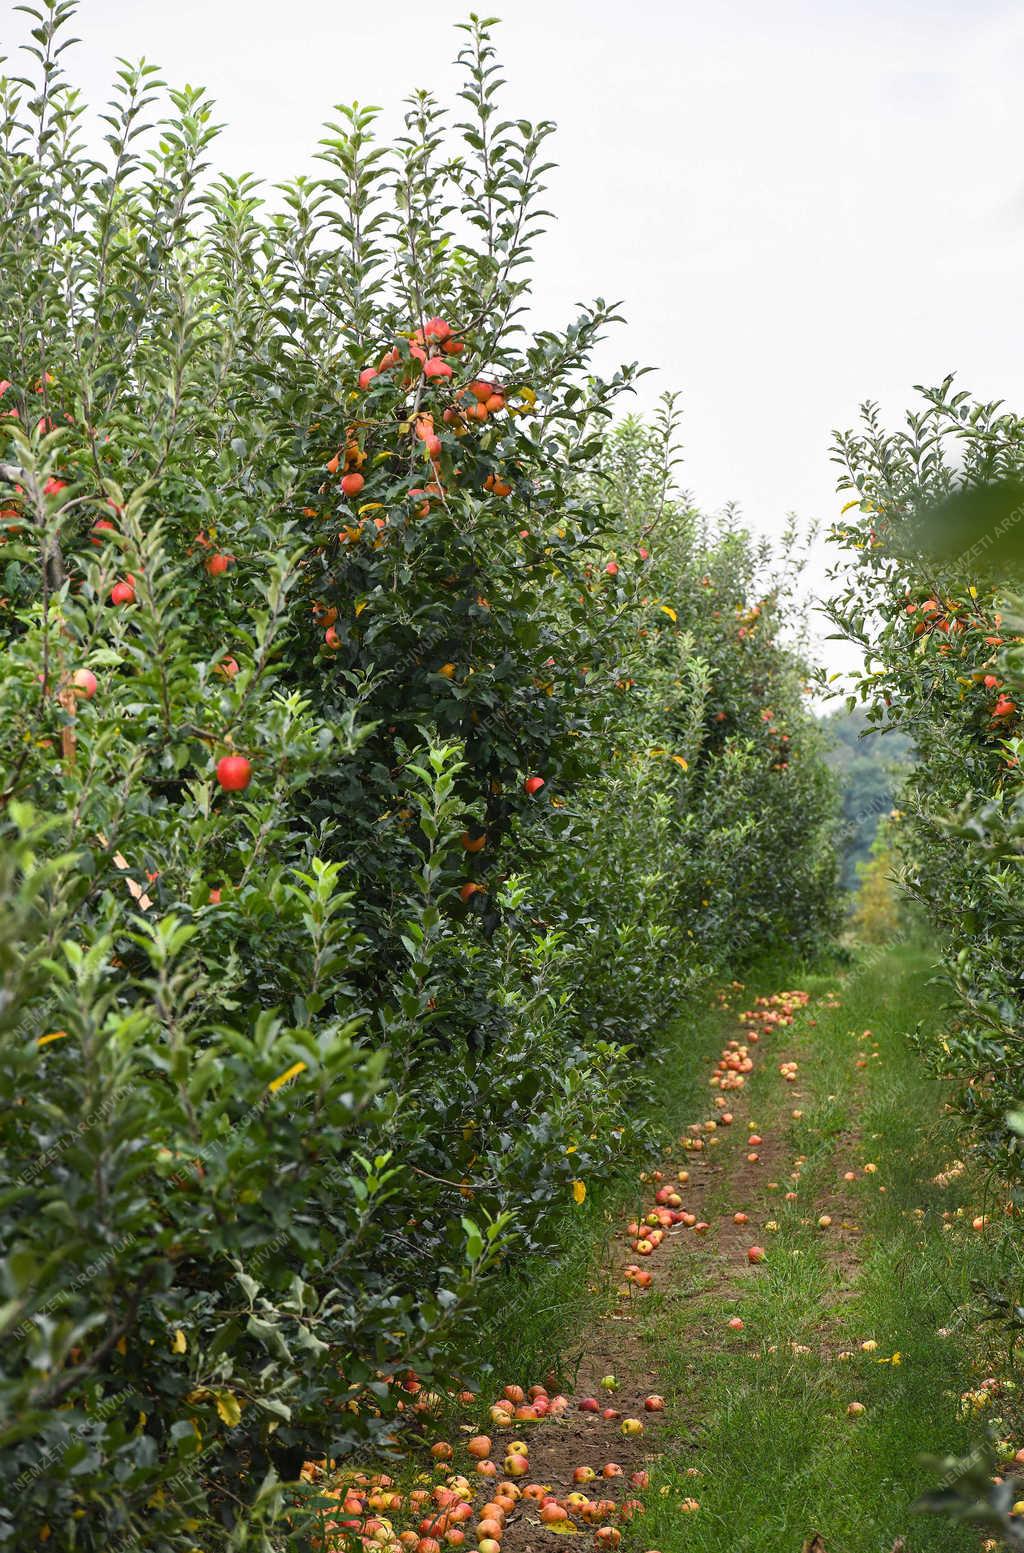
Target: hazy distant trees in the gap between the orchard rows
[[871, 768]]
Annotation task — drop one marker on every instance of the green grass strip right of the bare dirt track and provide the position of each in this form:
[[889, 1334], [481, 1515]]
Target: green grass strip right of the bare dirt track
[[768, 1431]]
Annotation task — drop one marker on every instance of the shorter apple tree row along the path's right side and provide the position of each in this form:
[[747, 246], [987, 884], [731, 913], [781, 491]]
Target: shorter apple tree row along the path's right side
[[933, 594]]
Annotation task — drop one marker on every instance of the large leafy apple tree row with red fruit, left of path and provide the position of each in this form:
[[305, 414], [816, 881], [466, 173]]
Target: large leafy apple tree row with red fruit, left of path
[[386, 749]]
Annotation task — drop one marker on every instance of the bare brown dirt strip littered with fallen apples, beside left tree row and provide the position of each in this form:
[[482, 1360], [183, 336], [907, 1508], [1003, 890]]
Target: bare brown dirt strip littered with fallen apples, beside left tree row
[[720, 1169]]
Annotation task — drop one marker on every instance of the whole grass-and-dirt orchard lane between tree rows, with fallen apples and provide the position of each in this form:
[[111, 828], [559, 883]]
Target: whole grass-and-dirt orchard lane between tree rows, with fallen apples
[[799, 1389]]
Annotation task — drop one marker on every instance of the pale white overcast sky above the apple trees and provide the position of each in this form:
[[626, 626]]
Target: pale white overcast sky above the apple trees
[[801, 204]]
